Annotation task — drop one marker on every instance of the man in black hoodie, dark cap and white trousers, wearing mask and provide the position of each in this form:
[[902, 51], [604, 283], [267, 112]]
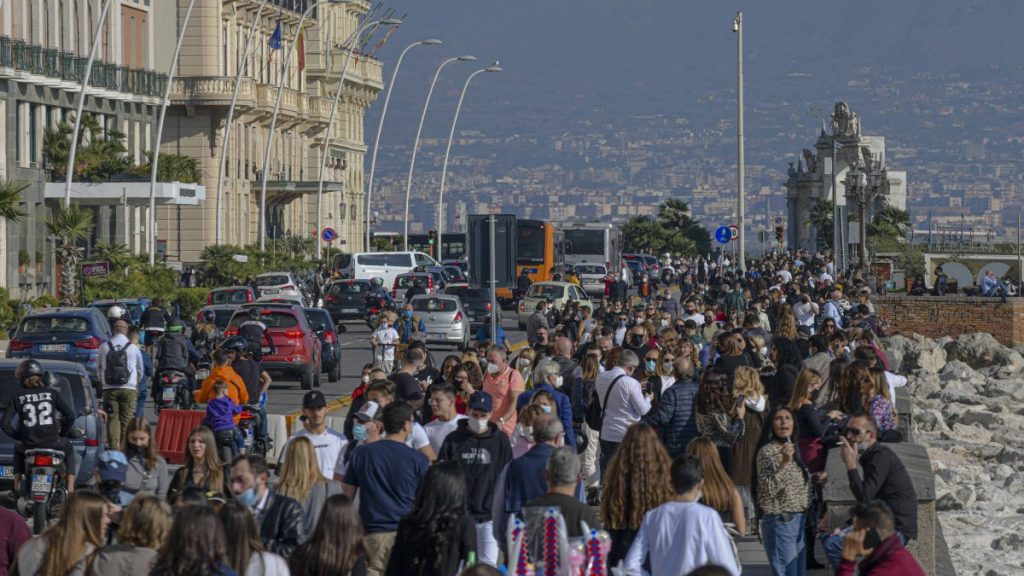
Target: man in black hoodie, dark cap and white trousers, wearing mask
[[483, 450]]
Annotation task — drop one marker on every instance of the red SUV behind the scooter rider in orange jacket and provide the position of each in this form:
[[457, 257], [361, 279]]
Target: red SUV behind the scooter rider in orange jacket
[[298, 348]]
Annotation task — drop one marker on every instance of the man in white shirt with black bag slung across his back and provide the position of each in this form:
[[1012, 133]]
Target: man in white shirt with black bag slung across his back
[[623, 403]]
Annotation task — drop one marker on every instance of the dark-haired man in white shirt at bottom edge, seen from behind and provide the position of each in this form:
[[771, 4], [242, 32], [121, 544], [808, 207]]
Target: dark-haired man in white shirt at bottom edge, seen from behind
[[682, 534]]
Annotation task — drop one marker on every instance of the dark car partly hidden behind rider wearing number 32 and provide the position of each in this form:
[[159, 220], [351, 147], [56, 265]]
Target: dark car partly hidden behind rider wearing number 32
[[75, 385]]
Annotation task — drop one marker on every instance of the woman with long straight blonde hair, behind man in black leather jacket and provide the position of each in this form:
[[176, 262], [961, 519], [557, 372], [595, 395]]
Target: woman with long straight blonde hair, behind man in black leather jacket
[[302, 479]]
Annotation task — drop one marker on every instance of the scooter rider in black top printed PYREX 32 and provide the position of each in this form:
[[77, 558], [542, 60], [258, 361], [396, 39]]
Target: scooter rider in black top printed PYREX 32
[[46, 420]]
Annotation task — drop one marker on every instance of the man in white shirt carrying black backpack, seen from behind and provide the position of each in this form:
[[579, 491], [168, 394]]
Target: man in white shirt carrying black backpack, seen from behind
[[120, 367]]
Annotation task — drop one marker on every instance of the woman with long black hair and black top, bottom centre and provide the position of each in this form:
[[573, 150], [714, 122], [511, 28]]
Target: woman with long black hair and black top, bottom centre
[[439, 533]]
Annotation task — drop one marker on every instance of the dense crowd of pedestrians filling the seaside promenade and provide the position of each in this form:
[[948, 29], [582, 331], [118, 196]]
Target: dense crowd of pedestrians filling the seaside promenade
[[678, 424]]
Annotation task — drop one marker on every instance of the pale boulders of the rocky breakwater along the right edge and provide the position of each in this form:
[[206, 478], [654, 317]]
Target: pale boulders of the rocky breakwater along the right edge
[[969, 413]]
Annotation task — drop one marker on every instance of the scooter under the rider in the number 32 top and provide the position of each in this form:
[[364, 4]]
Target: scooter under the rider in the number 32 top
[[44, 489]]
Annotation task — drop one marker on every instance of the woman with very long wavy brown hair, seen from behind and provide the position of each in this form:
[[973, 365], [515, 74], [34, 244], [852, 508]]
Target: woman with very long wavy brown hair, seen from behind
[[638, 480]]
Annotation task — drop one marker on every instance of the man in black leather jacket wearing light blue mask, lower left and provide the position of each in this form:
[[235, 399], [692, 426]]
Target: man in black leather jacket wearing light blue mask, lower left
[[279, 518]]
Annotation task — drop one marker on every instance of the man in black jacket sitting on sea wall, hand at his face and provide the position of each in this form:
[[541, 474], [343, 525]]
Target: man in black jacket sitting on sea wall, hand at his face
[[885, 479]]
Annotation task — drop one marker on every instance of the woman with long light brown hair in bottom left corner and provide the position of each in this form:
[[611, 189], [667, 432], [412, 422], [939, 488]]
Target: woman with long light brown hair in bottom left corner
[[64, 550]]
